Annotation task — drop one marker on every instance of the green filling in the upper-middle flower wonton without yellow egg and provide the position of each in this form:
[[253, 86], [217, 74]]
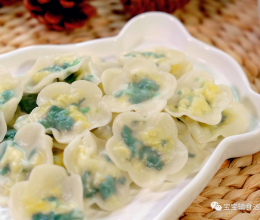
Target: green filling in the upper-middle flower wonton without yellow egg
[[140, 91]]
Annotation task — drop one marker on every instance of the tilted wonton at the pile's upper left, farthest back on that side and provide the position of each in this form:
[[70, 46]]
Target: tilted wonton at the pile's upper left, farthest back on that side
[[50, 68]]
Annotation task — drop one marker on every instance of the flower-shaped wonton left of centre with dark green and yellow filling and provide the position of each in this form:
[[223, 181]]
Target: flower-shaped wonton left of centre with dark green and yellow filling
[[68, 111]]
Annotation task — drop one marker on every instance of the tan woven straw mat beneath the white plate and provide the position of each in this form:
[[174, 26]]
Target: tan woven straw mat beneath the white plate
[[231, 25]]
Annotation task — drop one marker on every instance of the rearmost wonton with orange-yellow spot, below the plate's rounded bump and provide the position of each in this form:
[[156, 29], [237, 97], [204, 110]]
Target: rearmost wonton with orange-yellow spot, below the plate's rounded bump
[[166, 59]]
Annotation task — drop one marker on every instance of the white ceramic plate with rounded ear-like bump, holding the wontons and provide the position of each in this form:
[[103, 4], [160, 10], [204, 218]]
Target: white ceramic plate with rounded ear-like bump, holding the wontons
[[159, 29]]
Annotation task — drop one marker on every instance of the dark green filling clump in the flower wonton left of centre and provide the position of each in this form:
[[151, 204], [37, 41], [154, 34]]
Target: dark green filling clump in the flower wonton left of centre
[[58, 118]]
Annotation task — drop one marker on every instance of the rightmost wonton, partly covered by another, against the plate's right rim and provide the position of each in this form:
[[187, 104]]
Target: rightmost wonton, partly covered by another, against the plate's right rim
[[235, 120]]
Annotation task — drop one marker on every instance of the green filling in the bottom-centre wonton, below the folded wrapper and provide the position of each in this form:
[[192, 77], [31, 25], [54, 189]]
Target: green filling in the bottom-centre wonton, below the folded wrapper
[[106, 188]]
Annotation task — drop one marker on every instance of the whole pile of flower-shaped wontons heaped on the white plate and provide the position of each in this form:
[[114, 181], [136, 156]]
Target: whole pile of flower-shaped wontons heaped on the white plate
[[76, 131]]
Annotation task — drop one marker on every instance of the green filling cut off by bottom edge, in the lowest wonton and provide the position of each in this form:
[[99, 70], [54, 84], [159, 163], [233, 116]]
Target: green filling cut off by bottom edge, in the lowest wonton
[[73, 215]]
